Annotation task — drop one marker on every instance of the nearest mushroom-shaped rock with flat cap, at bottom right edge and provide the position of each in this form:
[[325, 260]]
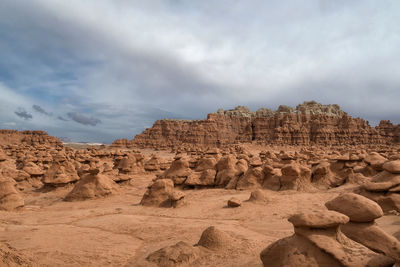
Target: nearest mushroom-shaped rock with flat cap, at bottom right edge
[[318, 241]]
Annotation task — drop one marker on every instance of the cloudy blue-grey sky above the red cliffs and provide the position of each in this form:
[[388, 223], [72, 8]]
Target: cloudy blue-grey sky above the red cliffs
[[97, 70]]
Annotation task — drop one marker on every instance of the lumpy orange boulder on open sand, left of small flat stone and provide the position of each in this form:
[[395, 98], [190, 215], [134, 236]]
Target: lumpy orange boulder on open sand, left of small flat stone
[[161, 194]]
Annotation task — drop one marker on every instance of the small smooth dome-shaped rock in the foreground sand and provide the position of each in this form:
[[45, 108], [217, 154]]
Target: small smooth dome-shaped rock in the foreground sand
[[215, 239]]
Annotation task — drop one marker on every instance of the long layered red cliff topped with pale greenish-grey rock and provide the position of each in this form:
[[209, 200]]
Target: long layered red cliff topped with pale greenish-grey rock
[[308, 123]]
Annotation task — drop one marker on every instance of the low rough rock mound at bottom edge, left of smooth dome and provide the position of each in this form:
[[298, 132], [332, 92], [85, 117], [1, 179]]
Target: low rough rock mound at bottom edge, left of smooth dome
[[176, 255]]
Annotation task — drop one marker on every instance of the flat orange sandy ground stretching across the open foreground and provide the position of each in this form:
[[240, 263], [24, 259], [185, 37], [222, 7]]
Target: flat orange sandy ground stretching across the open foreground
[[117, 231]]
